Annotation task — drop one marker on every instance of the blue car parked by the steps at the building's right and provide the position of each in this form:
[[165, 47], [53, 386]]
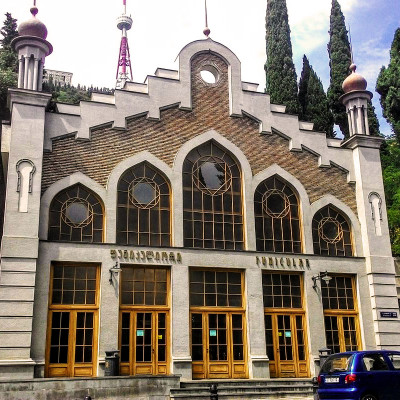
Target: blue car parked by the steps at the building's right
[[360, 375]]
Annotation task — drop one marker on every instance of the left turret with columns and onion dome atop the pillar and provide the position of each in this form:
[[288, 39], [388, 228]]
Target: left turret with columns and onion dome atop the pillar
[[32, 48]]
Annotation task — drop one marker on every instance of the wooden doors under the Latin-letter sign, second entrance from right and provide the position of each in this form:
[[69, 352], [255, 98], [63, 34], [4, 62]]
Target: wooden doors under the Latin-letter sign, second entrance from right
[[286, 348]]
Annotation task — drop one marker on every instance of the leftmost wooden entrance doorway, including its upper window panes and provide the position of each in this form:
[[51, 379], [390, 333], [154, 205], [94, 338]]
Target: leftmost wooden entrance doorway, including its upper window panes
[[72, 321]]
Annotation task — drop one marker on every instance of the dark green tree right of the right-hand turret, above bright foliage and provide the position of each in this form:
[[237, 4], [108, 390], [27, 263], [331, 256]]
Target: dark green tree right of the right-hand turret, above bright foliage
[[388, 86]]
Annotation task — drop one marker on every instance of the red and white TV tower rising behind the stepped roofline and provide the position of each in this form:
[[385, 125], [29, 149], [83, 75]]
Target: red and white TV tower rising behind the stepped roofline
[[124, 69]]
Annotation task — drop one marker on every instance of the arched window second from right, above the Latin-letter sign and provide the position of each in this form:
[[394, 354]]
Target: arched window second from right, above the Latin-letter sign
[[277, 216]]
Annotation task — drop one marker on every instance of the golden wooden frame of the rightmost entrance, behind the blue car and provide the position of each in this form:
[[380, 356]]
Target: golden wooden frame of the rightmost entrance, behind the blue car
[[340, 313]]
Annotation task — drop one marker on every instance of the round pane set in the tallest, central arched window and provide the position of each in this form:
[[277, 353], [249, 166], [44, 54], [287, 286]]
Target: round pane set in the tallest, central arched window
[[212, 175]]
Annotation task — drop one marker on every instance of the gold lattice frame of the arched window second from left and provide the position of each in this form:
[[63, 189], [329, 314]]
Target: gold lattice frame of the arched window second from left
[[132, 206]]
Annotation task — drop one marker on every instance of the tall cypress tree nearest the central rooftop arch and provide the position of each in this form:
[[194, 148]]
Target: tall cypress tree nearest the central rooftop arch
[[280, 71]]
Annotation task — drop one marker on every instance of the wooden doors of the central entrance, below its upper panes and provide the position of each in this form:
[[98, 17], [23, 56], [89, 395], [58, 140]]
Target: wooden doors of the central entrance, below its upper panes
[[218, 345]]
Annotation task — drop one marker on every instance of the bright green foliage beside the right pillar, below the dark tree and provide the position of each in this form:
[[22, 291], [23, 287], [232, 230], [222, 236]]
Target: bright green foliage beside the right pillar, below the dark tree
[[390, 156]]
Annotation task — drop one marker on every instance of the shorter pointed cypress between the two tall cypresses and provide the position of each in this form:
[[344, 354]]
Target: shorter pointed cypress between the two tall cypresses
[[313, 101]]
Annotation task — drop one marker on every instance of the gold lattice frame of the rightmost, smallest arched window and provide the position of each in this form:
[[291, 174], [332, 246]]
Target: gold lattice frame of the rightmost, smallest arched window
[[320, 240]]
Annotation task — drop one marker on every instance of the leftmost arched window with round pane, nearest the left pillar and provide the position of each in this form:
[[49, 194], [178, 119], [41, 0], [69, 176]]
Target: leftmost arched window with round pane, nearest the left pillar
[[76, 215]]
